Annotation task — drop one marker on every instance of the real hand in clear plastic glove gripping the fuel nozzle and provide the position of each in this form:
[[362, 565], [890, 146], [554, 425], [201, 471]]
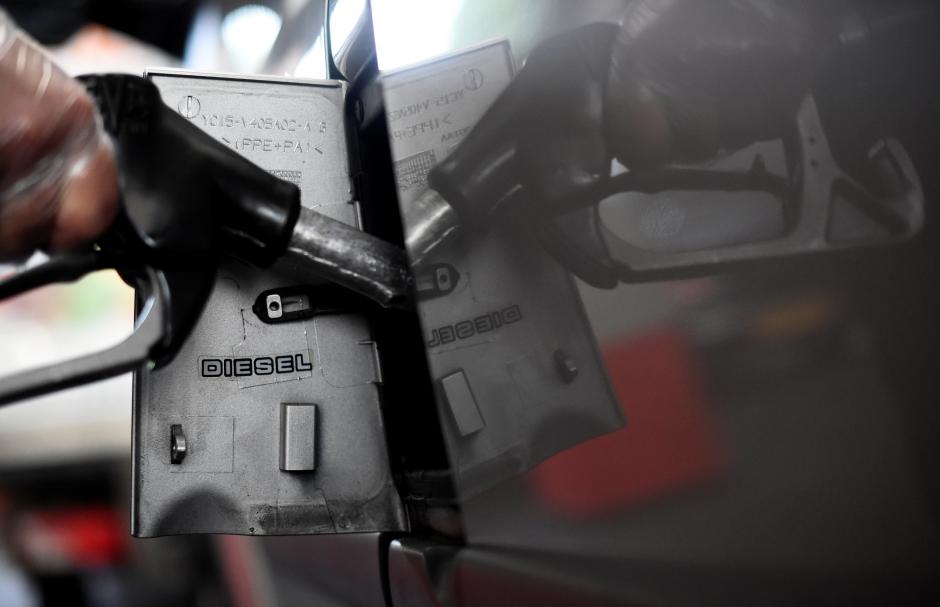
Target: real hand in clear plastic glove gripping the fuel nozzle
[[58, 181]]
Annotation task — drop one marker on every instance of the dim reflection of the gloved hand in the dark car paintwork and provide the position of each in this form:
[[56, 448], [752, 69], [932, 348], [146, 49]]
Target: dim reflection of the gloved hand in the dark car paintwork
[[688, 78]]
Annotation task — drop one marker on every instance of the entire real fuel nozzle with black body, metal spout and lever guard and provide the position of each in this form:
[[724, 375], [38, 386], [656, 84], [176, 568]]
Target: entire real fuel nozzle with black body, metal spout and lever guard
[[186, 201]]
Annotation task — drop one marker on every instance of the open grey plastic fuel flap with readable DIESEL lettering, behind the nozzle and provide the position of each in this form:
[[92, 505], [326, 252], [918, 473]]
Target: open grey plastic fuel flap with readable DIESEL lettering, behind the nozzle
[[231, 480]]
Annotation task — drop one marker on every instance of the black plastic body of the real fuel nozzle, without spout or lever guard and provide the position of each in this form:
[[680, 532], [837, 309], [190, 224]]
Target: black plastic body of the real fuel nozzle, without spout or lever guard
[[185, 197]]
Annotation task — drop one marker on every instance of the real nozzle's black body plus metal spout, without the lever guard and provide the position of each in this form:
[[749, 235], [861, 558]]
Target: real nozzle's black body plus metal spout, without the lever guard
[[187, 199]]
